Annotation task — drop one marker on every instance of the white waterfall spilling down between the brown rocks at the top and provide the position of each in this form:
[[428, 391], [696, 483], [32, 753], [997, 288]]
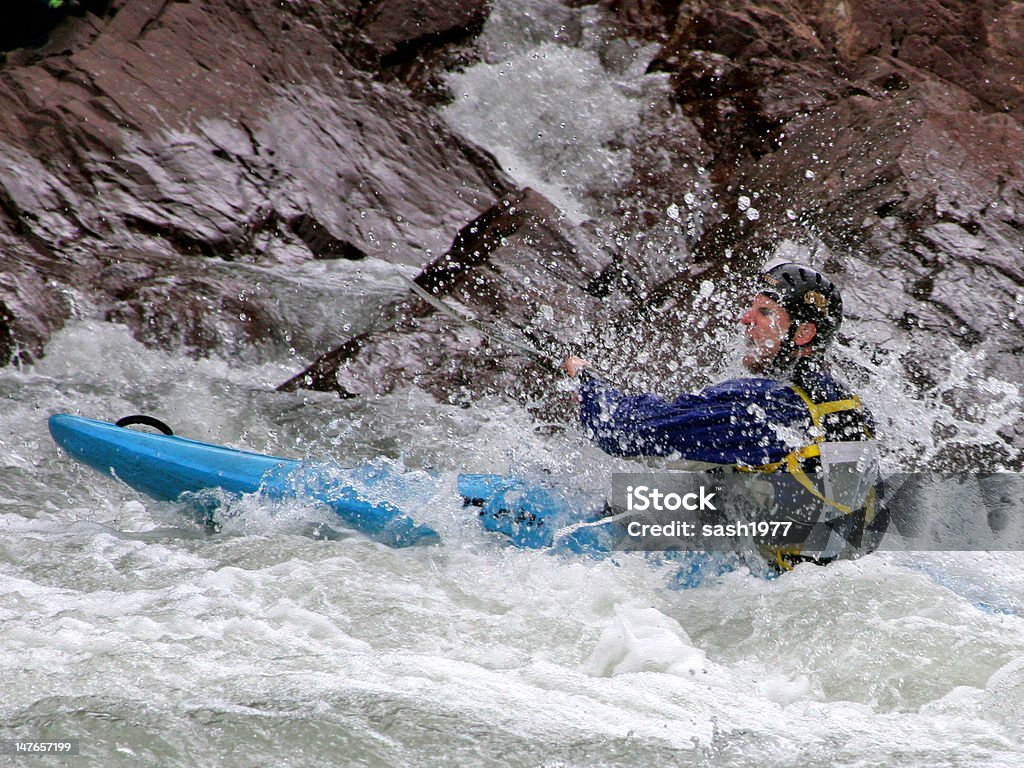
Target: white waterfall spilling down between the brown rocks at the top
[[557, 116]]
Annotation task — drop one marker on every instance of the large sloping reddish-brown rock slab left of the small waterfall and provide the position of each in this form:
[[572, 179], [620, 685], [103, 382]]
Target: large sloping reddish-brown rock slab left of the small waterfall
[[140, 148]]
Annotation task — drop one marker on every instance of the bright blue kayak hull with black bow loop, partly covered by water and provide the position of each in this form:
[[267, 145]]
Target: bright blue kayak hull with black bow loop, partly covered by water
[[173, 468]]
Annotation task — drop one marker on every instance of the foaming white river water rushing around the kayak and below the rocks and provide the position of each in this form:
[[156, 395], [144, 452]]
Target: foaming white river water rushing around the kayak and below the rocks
[[124, 626]]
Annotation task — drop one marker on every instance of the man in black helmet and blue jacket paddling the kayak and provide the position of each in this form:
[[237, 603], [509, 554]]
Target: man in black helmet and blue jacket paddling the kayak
[[793, 418]]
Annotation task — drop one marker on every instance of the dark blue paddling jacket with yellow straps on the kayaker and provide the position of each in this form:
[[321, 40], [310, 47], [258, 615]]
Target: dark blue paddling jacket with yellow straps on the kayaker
[[765, 424]]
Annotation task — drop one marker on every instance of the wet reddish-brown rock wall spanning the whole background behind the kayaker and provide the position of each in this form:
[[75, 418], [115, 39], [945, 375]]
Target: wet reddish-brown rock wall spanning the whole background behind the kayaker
[[152, 154]]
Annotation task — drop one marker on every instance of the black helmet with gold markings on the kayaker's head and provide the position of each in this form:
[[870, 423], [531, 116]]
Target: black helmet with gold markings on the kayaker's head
[[807, 295]]
